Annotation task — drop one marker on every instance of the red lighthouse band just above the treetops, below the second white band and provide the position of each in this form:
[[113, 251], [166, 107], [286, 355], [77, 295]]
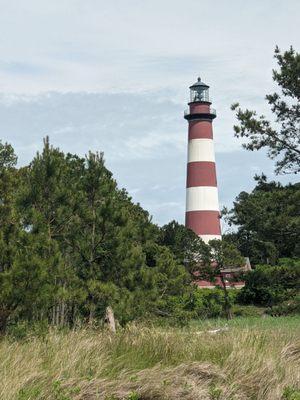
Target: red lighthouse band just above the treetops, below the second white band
[[203, 222]]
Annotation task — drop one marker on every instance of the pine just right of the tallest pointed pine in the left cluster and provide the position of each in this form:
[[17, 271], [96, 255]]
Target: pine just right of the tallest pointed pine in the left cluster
[[90, 235]]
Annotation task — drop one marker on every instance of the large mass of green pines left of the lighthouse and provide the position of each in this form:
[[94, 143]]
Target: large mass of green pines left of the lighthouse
[[72, 243]]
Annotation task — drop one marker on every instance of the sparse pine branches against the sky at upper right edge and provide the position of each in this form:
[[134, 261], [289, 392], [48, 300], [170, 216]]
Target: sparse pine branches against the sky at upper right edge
[[283, 141]]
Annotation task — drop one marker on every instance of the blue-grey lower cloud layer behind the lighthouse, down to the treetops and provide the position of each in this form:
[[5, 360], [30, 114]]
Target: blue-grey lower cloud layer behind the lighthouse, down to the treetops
[[143, 136]]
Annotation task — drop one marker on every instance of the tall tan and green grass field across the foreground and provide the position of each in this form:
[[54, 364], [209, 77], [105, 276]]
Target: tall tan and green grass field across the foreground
[[252, 358]]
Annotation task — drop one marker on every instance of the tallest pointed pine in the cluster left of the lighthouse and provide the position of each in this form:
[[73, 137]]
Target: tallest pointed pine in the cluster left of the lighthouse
[[47, 198]]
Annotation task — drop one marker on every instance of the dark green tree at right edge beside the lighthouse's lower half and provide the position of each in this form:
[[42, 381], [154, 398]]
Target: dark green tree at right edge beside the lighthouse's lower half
[[267, 221]]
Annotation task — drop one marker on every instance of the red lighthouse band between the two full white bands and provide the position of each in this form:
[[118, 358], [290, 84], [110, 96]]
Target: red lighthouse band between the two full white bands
[[201, 173]]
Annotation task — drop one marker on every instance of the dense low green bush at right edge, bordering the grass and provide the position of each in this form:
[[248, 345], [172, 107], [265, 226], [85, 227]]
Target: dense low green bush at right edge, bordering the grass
[[268, 285]]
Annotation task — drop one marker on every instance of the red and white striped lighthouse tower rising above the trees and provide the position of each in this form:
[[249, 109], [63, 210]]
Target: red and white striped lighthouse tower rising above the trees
[[202, 205]]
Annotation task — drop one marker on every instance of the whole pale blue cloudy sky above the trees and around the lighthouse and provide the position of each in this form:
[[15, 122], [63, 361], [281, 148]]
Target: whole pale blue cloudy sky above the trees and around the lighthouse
[[113, 76]]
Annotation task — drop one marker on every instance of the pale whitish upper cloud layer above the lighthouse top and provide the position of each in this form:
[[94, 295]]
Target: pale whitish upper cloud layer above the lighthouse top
[[133, 45]]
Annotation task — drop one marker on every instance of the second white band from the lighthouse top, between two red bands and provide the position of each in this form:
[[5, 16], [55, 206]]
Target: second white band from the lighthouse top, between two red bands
[[202, 198]]
